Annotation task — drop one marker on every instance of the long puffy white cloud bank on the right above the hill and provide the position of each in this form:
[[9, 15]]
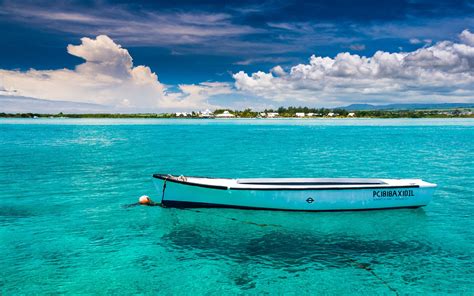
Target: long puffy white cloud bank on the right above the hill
[[441, 72]]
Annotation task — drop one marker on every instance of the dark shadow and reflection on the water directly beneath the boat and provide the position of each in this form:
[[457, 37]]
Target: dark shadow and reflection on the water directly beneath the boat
[[287, 239]]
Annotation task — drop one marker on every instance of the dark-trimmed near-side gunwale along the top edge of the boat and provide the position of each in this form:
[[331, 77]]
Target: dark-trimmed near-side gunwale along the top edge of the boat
[[166, 177]]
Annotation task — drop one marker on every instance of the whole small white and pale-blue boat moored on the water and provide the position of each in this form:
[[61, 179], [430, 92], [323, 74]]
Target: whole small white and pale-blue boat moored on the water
[[293, 194]]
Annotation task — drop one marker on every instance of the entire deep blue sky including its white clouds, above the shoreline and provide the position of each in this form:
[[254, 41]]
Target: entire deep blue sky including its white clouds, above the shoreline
[[205, 55]]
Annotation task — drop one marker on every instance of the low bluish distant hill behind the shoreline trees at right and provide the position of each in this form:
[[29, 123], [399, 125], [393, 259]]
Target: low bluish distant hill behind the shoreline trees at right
[[359, 107]]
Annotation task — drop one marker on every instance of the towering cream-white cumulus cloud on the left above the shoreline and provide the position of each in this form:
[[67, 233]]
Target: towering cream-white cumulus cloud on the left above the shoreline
[[107, 77]]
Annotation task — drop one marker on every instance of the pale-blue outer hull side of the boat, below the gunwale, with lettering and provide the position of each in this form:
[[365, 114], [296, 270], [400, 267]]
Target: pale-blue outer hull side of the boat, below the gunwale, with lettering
[[182, 195]]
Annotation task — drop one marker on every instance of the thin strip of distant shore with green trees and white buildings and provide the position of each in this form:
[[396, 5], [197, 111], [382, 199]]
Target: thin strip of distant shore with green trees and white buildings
[[282, 112]]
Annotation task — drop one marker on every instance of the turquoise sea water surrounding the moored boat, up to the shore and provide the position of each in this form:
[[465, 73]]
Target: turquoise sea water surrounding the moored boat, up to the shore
[[63, 227]]
